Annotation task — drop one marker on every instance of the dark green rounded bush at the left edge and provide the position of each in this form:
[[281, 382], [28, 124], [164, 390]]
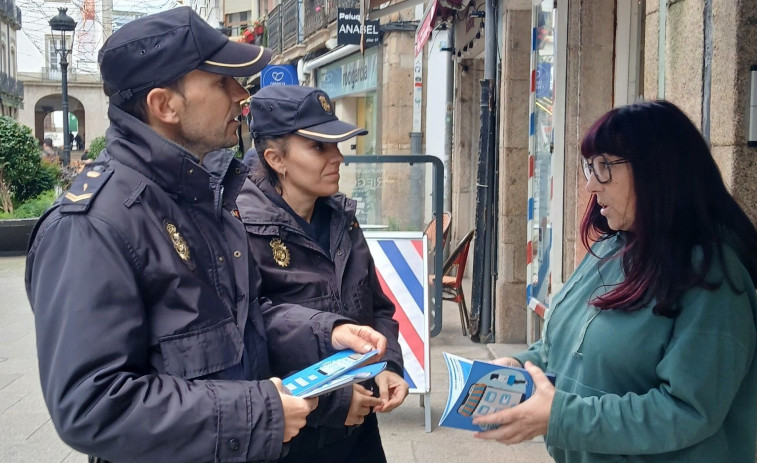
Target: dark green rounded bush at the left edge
[[23, 175]]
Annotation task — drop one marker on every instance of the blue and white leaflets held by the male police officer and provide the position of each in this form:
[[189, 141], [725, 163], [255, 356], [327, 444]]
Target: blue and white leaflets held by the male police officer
[[340, 370]]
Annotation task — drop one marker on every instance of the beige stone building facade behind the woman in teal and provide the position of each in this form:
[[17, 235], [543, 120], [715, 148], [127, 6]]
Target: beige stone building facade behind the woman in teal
[[694, 53]]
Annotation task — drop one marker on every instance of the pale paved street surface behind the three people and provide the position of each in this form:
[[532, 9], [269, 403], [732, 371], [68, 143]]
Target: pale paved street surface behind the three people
[[27, 434]]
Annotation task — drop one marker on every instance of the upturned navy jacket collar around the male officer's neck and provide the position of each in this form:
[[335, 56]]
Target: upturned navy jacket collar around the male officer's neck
[[173, 168]]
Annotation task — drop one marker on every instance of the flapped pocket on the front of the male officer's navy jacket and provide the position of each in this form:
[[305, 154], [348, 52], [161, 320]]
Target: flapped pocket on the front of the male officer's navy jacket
[[204, 351]]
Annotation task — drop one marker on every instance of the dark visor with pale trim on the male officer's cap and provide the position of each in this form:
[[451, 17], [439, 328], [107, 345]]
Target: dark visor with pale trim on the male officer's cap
[[237, 59]]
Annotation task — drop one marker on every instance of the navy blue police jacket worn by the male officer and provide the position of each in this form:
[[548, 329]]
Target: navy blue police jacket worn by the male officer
[[150, 336]]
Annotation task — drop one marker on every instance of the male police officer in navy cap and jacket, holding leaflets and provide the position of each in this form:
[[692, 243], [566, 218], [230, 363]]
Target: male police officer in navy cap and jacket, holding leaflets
[[151, 341]]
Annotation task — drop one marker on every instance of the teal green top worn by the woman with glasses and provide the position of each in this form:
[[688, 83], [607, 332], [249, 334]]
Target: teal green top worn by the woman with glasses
[[643, 387]]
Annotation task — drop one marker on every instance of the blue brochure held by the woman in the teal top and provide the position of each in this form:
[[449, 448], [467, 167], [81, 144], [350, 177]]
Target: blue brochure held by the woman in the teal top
[[479, 388]]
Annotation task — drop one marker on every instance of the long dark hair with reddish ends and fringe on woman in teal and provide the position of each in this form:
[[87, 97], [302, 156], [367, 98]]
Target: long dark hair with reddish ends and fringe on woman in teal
[[681, 204]]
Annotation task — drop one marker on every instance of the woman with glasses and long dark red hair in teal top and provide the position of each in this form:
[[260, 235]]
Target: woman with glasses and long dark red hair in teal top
[[652, 338]]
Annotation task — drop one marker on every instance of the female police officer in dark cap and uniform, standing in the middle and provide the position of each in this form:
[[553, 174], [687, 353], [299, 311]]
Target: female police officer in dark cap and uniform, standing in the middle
[[310, 250]]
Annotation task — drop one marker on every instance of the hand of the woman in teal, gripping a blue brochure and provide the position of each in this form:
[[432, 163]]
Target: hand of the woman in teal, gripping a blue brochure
[[525, 421]]
